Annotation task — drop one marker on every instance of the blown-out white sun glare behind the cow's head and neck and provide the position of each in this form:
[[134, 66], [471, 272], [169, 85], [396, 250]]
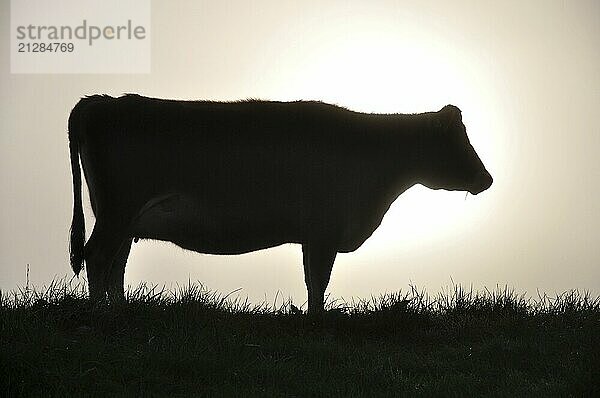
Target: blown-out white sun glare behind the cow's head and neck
[[373, 71]]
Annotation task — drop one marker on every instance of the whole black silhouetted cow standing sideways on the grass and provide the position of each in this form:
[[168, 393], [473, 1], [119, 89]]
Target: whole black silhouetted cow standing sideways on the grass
[[235, 177]]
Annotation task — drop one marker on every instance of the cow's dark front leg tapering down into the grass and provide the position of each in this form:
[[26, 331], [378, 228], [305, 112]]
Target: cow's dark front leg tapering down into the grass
[[318, 262]]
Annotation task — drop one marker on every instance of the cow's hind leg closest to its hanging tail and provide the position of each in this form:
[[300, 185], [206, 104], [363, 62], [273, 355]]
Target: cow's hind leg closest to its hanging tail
[[100, 252]]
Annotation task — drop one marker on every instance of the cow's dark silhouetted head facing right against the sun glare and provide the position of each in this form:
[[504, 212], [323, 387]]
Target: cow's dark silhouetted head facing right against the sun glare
[[448, 159]]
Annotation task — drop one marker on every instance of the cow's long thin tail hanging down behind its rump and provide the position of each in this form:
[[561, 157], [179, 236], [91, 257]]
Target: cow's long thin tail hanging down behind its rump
[[77, 242]]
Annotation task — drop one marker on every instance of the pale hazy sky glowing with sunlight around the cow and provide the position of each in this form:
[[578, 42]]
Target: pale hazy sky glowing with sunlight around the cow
[[526, 75]]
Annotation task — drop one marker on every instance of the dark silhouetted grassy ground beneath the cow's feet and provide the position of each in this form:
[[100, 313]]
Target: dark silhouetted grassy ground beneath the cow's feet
[[192, 342]]
